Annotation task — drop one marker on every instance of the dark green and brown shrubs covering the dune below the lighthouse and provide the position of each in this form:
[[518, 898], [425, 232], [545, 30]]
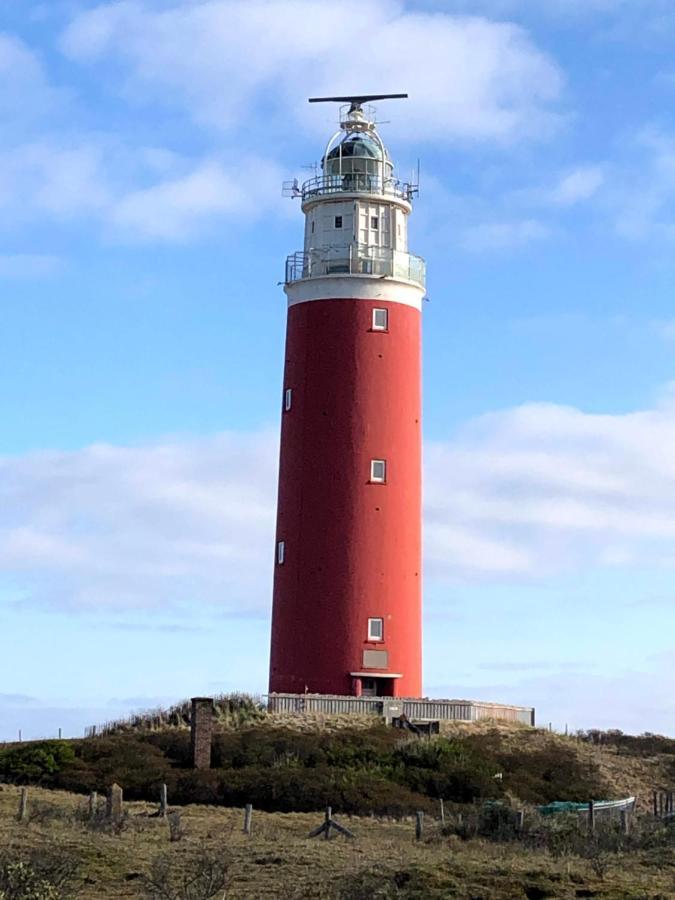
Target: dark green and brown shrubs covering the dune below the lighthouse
[[377, 770]]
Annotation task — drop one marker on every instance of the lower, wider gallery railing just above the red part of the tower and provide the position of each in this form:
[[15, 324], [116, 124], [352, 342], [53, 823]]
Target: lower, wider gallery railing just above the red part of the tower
[[357, 259]]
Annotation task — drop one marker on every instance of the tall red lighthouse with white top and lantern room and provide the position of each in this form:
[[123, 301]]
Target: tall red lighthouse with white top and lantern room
[[347, 582]]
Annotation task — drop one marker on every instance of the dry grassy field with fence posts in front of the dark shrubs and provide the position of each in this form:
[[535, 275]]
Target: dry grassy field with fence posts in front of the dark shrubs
[[480, 855]]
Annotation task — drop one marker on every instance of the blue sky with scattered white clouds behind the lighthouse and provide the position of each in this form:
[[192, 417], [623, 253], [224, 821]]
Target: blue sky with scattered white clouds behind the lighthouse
[[142, 238]]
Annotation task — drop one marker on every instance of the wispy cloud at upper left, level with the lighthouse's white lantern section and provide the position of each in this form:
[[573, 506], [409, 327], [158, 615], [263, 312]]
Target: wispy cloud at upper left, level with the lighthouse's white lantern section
[[147, 193]]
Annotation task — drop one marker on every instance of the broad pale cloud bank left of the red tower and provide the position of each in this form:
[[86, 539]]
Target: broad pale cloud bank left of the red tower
[[153, 526]]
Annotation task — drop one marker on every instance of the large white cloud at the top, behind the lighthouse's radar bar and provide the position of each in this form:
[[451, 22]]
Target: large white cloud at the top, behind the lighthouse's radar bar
[[467, 77]]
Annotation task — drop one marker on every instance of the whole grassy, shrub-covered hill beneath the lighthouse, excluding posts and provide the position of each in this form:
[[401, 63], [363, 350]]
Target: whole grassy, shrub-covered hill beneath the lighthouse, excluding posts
[[374, 777]]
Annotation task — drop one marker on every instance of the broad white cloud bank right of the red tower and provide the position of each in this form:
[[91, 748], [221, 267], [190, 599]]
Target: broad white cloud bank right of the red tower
[[553, 488]]
